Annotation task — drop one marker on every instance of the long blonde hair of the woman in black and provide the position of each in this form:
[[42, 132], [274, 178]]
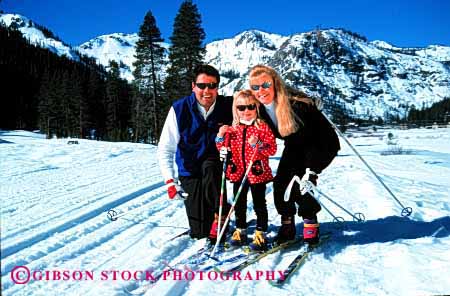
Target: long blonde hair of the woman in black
[[283, 110]]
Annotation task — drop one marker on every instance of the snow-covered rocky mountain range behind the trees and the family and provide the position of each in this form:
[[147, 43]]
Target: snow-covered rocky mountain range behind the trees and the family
[[364, 79]]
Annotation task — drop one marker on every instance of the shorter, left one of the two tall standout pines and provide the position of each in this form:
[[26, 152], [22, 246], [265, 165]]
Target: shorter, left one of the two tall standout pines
[[147, 84]]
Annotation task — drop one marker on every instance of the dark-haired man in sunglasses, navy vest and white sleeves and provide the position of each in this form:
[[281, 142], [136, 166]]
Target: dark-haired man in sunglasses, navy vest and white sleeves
[[188, 136]]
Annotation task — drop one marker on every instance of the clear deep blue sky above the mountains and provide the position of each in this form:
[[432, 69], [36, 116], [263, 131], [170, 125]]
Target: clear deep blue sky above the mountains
[[399, 22]]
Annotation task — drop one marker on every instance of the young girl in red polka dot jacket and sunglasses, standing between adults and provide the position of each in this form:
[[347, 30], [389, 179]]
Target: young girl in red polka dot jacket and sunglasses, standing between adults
[[249, 138]]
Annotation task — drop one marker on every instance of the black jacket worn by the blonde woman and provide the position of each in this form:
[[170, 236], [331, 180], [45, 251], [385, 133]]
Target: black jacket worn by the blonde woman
[[314, 145]]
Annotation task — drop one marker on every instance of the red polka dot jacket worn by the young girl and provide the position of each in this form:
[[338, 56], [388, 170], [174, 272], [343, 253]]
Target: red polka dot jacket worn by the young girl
[[240, 153]]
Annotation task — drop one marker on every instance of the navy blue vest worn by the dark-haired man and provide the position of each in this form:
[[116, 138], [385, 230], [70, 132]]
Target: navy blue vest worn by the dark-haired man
[[197, 136]]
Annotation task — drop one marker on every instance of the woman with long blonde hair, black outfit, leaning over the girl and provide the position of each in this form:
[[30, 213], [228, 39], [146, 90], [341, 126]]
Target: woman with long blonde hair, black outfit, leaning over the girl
[[309, 142]]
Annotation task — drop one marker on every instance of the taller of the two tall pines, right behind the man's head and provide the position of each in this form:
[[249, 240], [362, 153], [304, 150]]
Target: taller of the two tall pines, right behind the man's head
[[186, 51]]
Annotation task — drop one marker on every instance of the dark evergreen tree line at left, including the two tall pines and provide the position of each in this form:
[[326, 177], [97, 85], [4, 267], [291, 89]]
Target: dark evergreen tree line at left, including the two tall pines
[[67, 98]]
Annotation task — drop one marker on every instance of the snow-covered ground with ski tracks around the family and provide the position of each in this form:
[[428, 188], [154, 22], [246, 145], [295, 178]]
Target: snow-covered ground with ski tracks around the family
[[55, 196]]
